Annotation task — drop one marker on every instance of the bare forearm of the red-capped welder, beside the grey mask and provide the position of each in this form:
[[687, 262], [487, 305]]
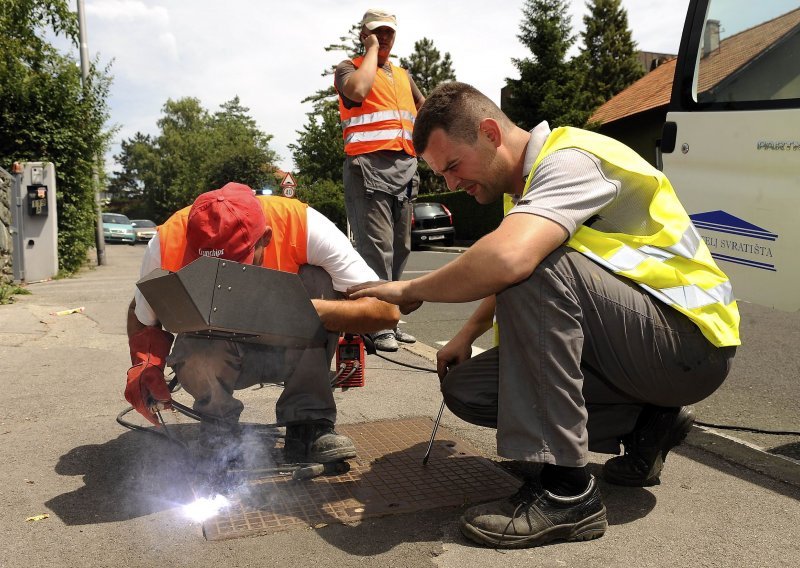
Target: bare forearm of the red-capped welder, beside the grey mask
[[366, 315]]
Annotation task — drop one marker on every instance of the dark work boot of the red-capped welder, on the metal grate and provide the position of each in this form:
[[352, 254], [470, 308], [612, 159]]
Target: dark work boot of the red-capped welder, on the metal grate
[[316, 442]]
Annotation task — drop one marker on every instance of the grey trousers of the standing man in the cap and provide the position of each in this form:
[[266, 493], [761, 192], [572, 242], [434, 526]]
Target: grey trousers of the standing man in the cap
[[380, 222]]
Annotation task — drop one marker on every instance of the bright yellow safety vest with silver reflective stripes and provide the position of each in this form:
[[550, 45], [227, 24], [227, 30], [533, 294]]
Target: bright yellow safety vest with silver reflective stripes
[[673, 264]]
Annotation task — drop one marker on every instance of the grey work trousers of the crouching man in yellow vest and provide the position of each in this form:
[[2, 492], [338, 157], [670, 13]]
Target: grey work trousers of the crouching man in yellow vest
[[581, 352]]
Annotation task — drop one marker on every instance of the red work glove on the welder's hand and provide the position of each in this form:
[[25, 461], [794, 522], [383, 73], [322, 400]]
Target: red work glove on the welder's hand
[[146, 384]]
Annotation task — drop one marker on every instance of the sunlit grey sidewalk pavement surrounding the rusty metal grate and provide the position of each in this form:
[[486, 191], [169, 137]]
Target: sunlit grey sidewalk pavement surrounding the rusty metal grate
[[721, 504]]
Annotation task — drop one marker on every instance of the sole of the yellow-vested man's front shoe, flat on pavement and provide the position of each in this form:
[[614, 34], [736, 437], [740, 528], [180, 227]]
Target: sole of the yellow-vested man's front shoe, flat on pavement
[[589, 528]]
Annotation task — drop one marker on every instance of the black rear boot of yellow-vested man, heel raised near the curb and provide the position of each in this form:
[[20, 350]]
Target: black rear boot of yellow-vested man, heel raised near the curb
[[658, 431]]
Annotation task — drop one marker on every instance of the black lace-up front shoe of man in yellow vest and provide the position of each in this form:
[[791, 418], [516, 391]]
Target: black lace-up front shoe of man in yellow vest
[[533, 516]]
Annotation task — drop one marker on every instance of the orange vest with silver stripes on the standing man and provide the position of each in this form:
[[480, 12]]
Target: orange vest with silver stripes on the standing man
[[385, 119]]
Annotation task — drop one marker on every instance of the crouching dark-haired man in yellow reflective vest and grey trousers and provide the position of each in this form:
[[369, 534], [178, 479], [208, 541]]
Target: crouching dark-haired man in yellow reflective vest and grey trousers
[[612, 314]]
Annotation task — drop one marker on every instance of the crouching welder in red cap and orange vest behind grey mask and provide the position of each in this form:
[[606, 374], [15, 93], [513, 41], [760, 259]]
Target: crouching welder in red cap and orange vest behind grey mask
[[277, 233]]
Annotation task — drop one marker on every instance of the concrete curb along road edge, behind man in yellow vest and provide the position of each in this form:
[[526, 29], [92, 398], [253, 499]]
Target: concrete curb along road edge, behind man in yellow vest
[[730, 449]]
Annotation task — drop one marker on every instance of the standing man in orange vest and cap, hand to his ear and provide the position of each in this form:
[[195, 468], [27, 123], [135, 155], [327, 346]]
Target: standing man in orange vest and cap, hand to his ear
[[378, 105]]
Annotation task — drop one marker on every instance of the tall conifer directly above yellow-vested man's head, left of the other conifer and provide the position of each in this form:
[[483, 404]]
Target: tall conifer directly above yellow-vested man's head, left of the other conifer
[[549, 87]]
